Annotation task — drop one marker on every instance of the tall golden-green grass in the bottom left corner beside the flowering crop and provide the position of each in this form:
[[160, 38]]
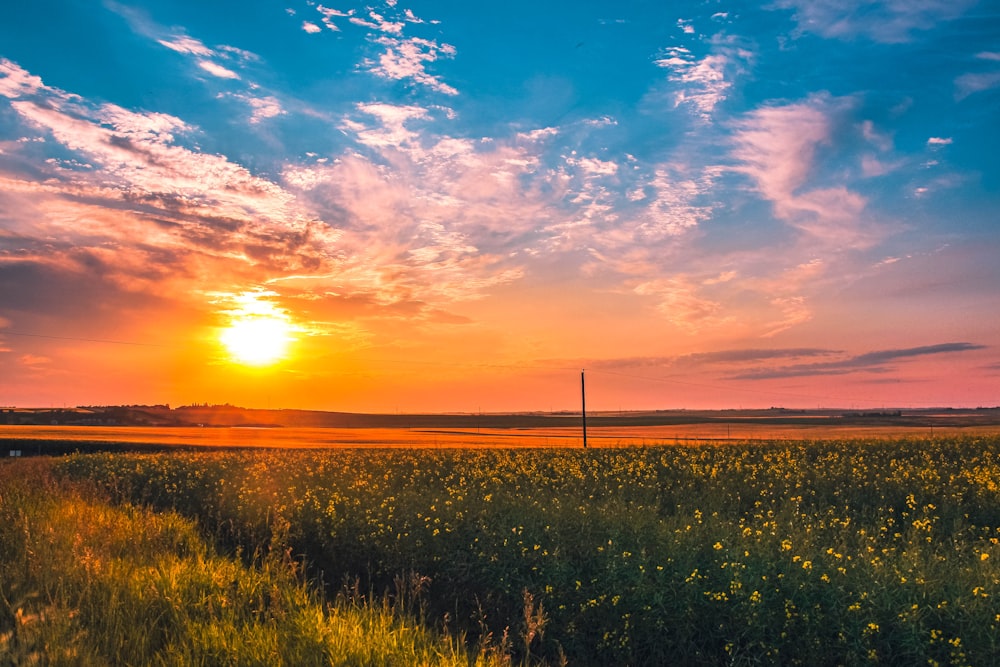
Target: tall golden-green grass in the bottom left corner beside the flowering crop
[[85, 582]]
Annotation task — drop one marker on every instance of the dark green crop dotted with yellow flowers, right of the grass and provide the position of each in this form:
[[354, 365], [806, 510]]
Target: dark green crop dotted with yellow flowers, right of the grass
[[803, 553]]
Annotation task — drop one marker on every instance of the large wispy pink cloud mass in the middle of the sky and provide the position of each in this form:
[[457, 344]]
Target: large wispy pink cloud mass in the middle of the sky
[[411, 202]]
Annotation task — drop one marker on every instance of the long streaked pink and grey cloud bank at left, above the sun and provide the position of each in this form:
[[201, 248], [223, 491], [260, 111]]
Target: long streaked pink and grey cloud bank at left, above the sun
[[134, 196]]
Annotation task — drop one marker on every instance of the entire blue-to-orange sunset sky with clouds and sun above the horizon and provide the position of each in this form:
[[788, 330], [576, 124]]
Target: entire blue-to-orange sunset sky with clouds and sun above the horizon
[[442, 206]]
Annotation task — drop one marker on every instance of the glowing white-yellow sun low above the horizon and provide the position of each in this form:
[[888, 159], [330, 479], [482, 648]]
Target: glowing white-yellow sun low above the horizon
[[259, 333]]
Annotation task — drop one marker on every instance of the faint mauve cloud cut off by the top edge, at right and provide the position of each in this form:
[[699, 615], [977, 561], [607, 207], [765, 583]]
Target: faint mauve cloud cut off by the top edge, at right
[[888, 21]]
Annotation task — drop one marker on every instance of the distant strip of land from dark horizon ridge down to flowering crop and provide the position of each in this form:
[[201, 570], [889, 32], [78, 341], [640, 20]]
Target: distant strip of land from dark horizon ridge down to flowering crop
[[263, 429]]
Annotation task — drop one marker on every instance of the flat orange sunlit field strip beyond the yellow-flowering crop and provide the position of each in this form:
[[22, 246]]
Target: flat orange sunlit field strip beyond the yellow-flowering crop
[[33, 439]]
